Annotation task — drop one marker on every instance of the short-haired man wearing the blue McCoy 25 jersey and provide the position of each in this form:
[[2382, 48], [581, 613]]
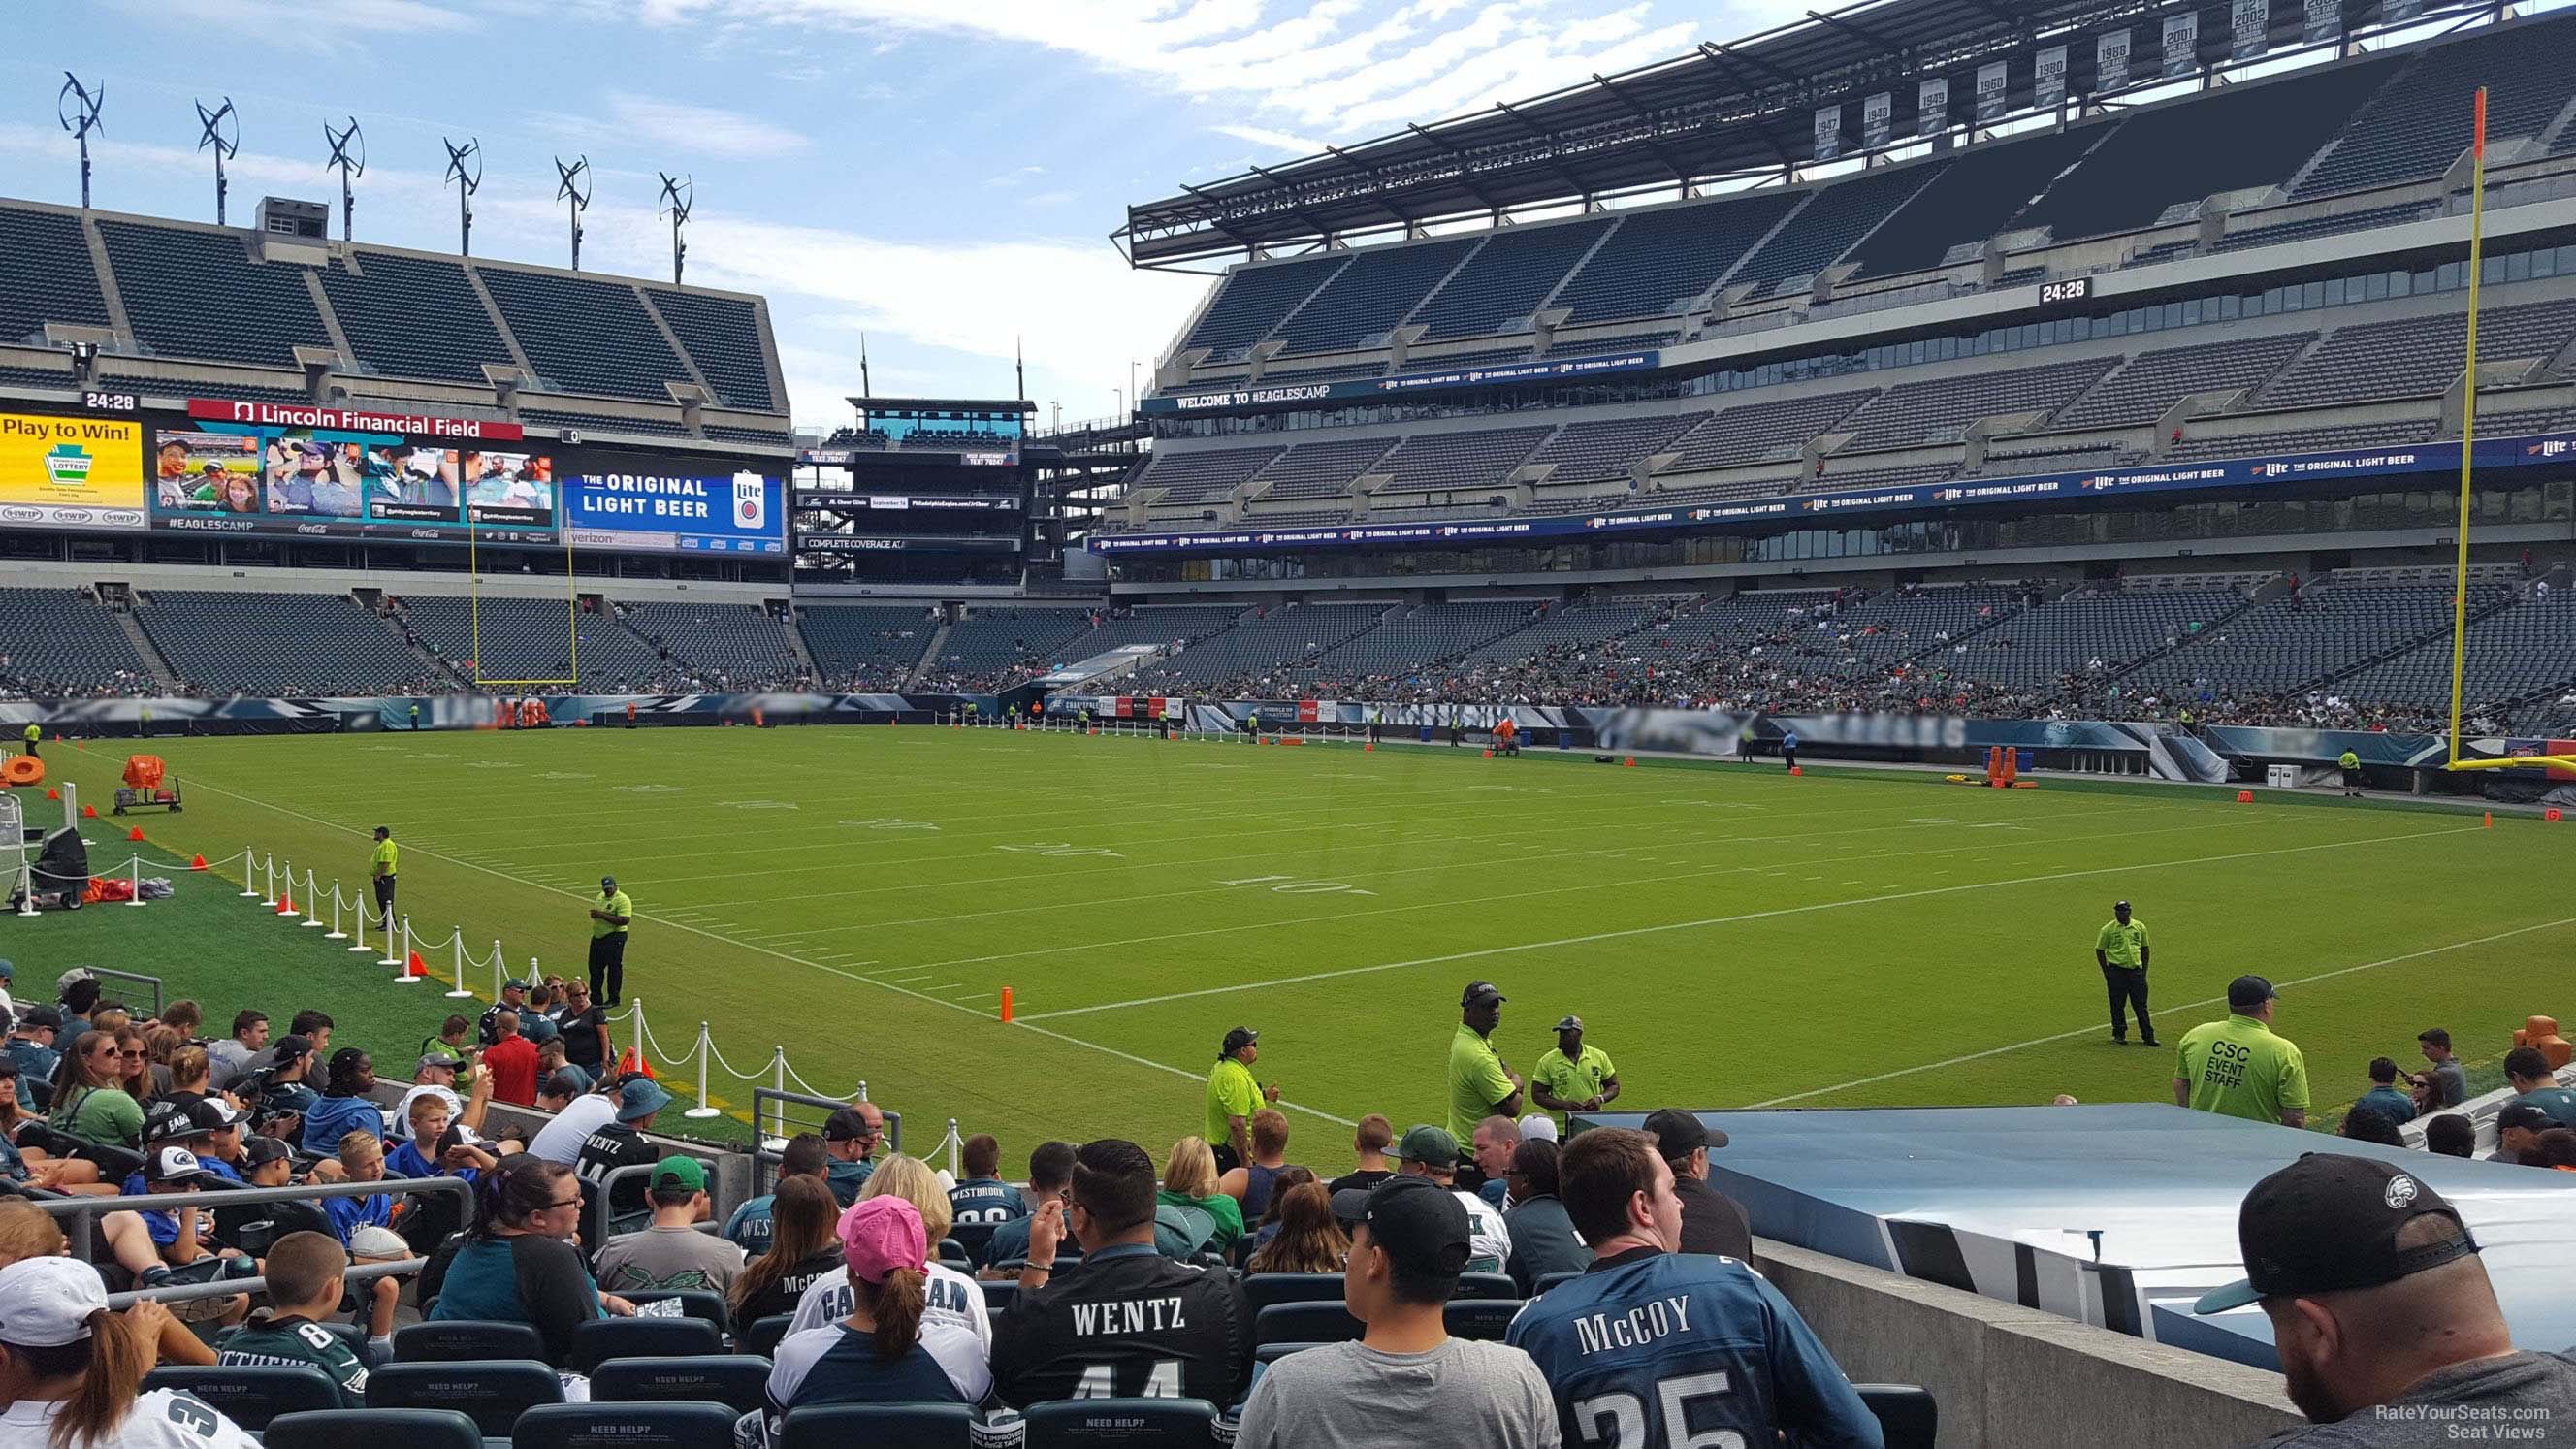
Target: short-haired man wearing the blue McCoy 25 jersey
[[1725, 1319]]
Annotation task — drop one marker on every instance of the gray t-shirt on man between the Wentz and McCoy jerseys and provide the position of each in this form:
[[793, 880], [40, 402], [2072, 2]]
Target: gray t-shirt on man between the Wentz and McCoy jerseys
[[1351, 1396]]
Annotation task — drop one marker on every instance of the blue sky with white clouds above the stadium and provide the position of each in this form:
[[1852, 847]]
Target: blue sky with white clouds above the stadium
[[934, 174]]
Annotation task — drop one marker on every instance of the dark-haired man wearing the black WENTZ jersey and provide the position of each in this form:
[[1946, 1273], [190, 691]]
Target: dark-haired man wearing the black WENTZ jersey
[[1083, 1337]]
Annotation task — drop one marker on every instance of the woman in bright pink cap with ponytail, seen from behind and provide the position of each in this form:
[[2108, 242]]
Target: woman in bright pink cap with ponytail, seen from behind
[[887, 1347]]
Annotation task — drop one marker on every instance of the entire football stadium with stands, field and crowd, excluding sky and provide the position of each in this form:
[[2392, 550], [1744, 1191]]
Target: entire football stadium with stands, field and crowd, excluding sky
[[1905, 685]]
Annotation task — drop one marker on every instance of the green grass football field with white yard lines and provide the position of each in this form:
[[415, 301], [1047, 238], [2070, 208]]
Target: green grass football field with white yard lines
[[1730, 935]]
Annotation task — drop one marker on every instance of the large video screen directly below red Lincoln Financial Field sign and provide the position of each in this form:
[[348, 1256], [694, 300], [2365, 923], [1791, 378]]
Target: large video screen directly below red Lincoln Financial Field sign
[[323, 483]]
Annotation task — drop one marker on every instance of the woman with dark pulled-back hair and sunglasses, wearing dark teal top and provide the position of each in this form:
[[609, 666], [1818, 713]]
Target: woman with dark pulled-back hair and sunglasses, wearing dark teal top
[[519, 1262]]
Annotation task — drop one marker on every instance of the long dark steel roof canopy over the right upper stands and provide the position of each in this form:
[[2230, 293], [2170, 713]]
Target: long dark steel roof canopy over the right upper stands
[[1719, 112]]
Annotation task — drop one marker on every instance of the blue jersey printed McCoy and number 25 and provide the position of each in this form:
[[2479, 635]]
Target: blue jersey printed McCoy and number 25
[[1668, 1352]]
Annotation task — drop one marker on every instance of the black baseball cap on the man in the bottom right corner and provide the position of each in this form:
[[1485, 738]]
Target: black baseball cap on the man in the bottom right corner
[[2330, 1223]]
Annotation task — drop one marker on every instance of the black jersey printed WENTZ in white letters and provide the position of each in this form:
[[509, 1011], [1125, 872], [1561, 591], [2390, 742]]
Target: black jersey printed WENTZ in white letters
[[1127, 1324]]
